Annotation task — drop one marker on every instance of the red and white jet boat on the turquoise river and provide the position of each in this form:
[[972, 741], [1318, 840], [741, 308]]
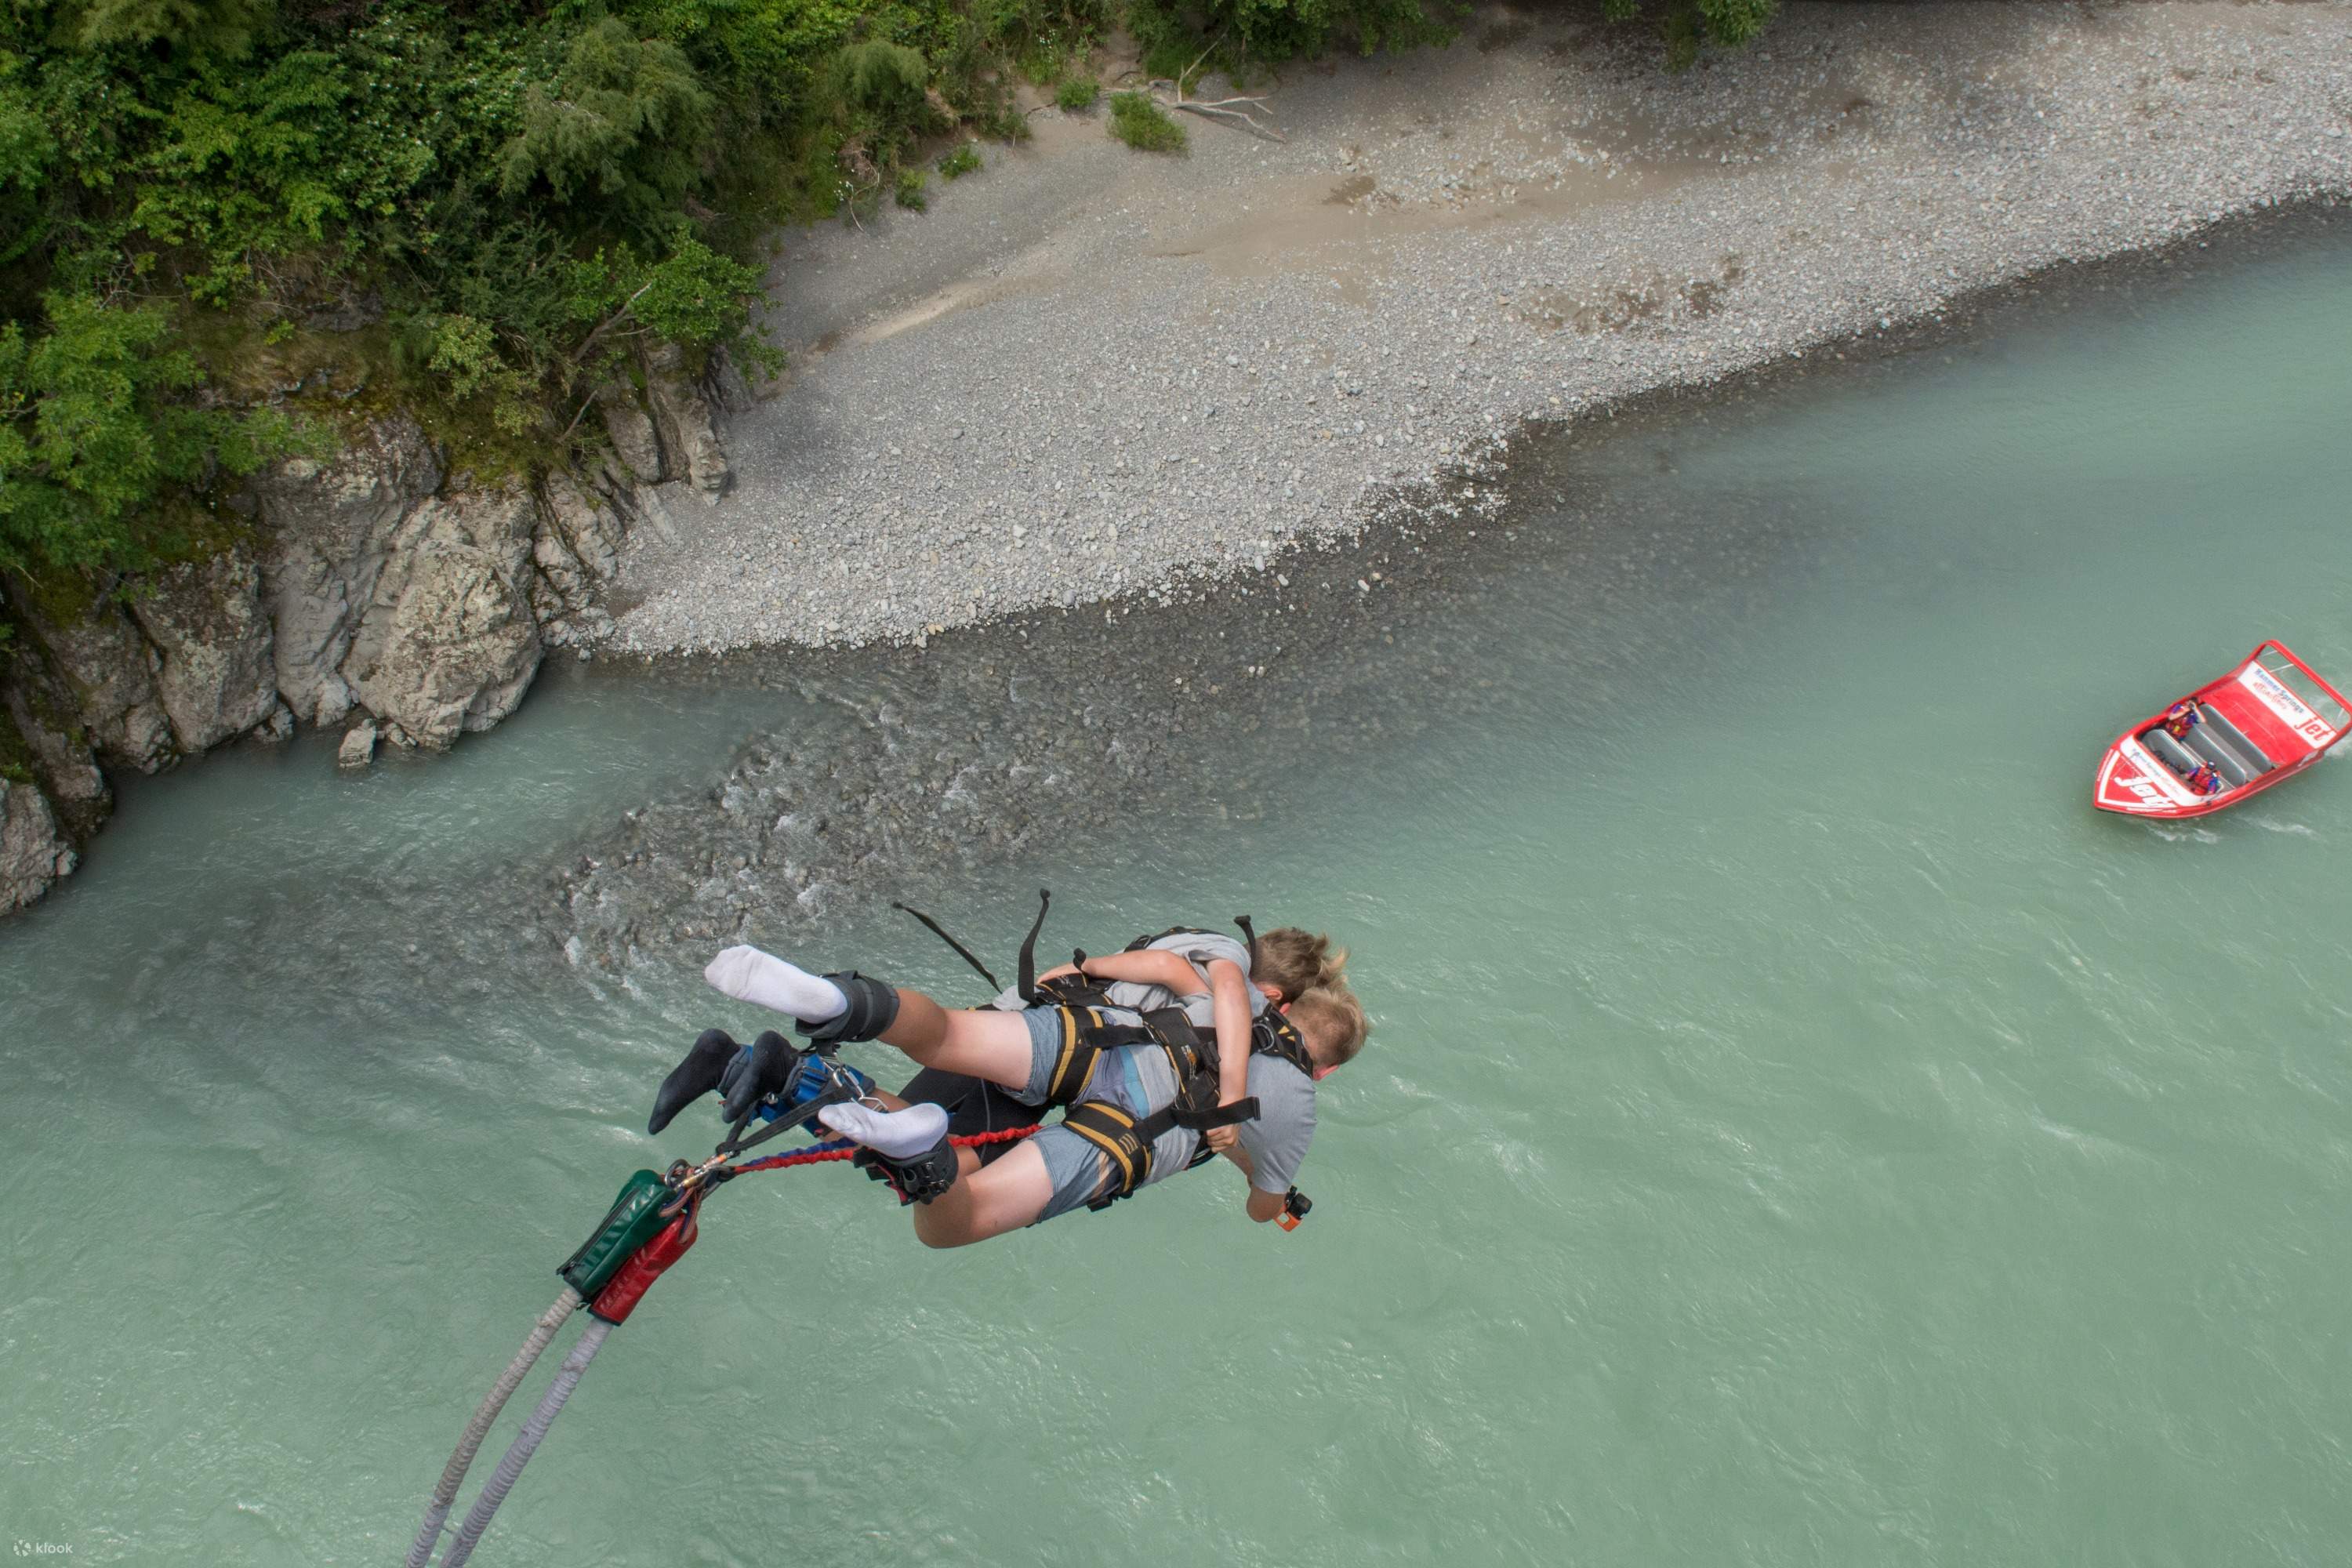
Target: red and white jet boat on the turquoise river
[[2226, 742]]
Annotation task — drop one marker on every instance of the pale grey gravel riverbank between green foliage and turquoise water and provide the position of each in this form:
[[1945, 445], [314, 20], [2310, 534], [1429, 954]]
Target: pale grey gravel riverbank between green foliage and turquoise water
[[1090, 373]]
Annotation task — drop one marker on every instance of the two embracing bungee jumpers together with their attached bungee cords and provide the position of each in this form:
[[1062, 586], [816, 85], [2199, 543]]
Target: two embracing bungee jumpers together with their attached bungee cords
[[1161, 1057]]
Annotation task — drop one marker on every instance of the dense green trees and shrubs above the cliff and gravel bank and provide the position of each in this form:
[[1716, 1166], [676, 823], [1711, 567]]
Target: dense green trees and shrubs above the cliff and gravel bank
[[476, 208]]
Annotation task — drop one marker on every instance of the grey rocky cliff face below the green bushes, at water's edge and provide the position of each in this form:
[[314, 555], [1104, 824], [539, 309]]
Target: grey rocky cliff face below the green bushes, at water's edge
[[373, 591]]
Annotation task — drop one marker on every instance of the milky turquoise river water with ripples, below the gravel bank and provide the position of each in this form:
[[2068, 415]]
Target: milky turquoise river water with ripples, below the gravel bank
[[1798, 1130]]
